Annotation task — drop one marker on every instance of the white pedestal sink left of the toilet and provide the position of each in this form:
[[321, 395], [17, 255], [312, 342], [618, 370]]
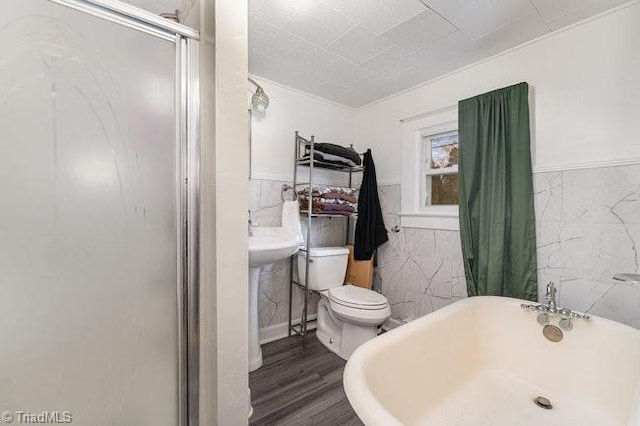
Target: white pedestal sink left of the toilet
[[266, 245]]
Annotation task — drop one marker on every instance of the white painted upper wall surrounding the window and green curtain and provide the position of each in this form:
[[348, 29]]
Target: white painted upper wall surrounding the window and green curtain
[[585, 87]]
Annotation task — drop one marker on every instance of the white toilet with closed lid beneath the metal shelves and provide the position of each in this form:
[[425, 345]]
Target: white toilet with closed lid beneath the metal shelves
[[348, 315]]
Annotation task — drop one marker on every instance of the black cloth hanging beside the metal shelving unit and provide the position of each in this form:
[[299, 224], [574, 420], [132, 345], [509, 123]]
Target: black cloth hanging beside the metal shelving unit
[[370, 230]]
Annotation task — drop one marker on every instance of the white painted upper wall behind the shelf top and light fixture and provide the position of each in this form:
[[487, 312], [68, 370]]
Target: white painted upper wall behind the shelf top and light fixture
[[290, 110]]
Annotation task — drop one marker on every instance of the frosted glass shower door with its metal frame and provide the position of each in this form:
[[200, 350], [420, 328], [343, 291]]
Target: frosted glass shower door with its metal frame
[[98, 194]]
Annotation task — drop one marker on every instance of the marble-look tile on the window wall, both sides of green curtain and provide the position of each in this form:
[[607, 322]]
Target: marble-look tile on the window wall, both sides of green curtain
[[588, 229]]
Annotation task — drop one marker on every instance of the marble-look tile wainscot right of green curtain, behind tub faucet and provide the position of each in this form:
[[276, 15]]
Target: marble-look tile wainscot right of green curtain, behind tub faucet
[[588, 229]]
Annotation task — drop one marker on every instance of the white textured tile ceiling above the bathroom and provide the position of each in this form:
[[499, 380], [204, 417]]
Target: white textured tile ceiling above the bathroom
[[357, 51]]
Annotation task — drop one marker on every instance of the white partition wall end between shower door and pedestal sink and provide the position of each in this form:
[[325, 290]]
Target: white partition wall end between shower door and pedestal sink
[[224, 191]]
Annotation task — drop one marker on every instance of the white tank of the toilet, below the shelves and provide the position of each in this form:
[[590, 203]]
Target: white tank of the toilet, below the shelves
[[327, 267]]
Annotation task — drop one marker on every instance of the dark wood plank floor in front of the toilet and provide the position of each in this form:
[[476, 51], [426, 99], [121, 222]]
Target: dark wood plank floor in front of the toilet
[[300, 385]]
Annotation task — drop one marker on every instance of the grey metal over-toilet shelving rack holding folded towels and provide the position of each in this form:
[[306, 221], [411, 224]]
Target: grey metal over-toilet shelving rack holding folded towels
[[304, 147]]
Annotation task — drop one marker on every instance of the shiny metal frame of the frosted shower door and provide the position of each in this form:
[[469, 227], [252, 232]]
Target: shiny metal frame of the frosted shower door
[[187, 143]]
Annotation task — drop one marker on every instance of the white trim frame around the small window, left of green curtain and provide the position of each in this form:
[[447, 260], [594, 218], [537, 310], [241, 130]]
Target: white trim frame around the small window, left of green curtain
[[414, 213]]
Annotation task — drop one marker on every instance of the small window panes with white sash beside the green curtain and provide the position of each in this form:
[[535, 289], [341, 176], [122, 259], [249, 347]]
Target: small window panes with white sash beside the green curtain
[[439, 169]]
